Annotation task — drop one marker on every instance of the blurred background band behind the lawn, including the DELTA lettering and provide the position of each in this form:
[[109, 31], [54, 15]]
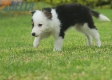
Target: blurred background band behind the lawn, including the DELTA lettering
[[18, 7]]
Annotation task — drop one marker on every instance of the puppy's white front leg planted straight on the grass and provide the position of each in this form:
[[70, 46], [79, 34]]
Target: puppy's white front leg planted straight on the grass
[[58, 42]]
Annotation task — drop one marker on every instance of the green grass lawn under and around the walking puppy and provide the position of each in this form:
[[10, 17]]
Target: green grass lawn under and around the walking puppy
[[20, 61]]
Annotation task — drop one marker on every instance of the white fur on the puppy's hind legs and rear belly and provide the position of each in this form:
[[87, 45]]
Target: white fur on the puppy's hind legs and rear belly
[[89, 33]]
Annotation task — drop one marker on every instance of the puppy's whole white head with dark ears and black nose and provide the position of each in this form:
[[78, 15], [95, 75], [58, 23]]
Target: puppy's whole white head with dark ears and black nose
[[40, 21]]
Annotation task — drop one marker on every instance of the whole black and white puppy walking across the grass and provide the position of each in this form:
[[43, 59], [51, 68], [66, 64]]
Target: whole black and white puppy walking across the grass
[[57, 20]]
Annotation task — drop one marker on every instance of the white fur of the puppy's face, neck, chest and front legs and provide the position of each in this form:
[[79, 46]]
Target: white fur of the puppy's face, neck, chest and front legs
[[49, 27]]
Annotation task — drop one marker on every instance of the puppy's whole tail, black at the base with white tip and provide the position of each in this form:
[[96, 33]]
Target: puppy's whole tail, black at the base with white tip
[[99, 16]]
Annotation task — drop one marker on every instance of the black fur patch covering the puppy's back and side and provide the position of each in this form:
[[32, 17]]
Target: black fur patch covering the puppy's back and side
[[70, 14]]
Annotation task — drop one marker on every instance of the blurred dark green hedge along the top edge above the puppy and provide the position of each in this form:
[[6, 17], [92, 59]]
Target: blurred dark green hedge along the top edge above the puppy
[[90, 3]]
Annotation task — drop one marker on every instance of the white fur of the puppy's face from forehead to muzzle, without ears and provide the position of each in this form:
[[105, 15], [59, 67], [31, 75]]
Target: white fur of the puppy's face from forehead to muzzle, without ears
[[40, 23]]
